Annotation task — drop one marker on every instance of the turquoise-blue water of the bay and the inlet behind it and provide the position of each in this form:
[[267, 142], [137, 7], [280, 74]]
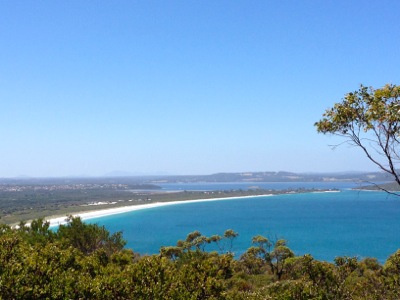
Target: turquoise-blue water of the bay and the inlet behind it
[[326, 225]]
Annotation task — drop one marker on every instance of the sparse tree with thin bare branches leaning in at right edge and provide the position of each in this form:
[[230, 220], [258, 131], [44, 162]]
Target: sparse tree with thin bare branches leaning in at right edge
[[369, 119]]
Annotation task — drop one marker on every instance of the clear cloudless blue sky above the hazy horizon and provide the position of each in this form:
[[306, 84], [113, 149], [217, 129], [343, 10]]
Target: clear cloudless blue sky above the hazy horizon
[[185, 87]]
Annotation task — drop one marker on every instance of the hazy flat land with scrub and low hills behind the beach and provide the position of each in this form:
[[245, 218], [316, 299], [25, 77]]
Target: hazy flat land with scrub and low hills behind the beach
[[23, 199]]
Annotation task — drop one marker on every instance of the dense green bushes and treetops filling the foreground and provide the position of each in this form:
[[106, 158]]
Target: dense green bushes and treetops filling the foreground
[[85, 261]]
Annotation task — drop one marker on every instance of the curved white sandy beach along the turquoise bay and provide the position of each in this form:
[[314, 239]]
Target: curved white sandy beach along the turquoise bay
[[118, 210]]
